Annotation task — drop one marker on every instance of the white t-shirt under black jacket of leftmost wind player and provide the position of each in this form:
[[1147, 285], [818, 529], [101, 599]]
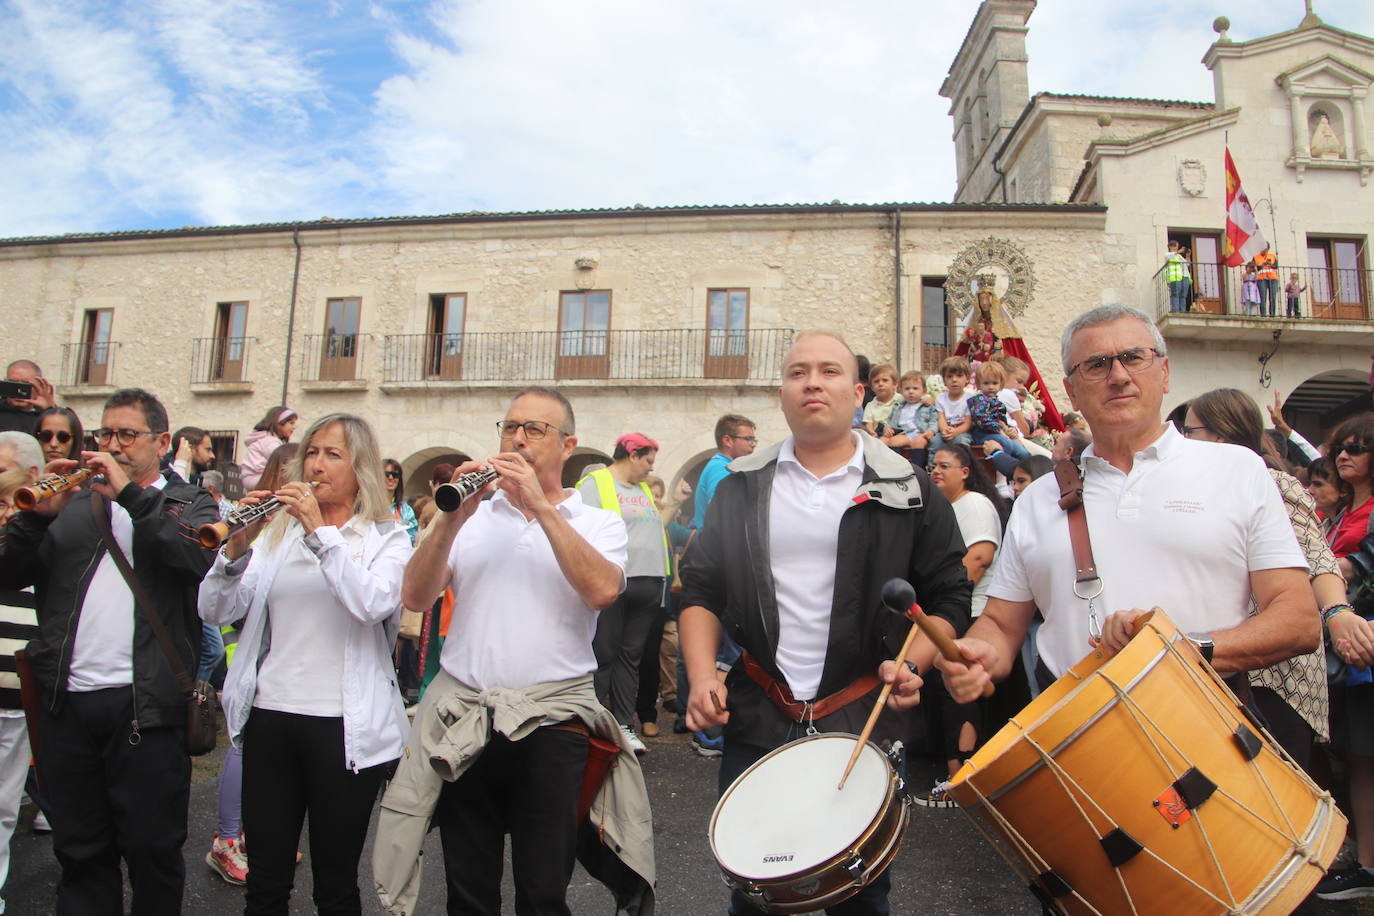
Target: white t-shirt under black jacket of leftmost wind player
[[104, 650]]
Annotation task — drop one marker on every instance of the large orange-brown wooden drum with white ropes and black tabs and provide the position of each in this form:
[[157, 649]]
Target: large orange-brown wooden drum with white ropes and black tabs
[[1138, 785]]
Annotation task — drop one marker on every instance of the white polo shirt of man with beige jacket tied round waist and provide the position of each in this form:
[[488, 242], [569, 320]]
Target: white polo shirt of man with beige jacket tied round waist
[[517, 621]]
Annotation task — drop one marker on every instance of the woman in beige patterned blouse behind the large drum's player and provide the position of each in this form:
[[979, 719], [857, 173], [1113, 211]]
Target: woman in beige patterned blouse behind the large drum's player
[[1292, 694]]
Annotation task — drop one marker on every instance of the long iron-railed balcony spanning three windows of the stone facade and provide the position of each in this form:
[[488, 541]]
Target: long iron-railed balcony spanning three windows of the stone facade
[[681, 355]]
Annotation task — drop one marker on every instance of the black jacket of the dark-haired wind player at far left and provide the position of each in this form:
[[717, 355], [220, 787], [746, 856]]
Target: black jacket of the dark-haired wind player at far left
[[60, 557]]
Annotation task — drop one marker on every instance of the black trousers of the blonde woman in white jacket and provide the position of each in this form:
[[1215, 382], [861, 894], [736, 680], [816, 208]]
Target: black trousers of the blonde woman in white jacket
[[293, 766]]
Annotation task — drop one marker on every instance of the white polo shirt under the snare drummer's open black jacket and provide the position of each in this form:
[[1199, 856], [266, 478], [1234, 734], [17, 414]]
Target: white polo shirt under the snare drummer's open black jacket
[[803, 542]]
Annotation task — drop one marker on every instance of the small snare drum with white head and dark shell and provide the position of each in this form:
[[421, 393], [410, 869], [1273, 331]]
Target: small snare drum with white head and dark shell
[[791, 841]]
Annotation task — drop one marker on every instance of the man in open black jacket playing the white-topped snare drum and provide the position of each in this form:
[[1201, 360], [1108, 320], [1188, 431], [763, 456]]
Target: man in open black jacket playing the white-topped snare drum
[[798, 546]]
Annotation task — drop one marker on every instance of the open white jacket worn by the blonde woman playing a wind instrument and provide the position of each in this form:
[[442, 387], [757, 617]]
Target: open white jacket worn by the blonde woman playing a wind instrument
[[370, 599]]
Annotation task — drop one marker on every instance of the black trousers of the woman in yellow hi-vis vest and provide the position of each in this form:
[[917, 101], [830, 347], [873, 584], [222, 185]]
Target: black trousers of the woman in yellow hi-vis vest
[[620, 643]]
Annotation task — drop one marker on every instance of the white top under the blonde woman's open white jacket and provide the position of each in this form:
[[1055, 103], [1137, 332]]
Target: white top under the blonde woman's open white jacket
[[303, 672]]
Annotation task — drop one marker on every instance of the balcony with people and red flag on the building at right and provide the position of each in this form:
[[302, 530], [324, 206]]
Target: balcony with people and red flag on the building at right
[[1336, 303]]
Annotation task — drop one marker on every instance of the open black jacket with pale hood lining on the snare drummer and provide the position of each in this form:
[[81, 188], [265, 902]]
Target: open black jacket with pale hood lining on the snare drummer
[[899, 527]]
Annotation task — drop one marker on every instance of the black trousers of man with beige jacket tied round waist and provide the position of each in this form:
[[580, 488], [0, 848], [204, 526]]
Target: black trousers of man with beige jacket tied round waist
[[527, 789]]
